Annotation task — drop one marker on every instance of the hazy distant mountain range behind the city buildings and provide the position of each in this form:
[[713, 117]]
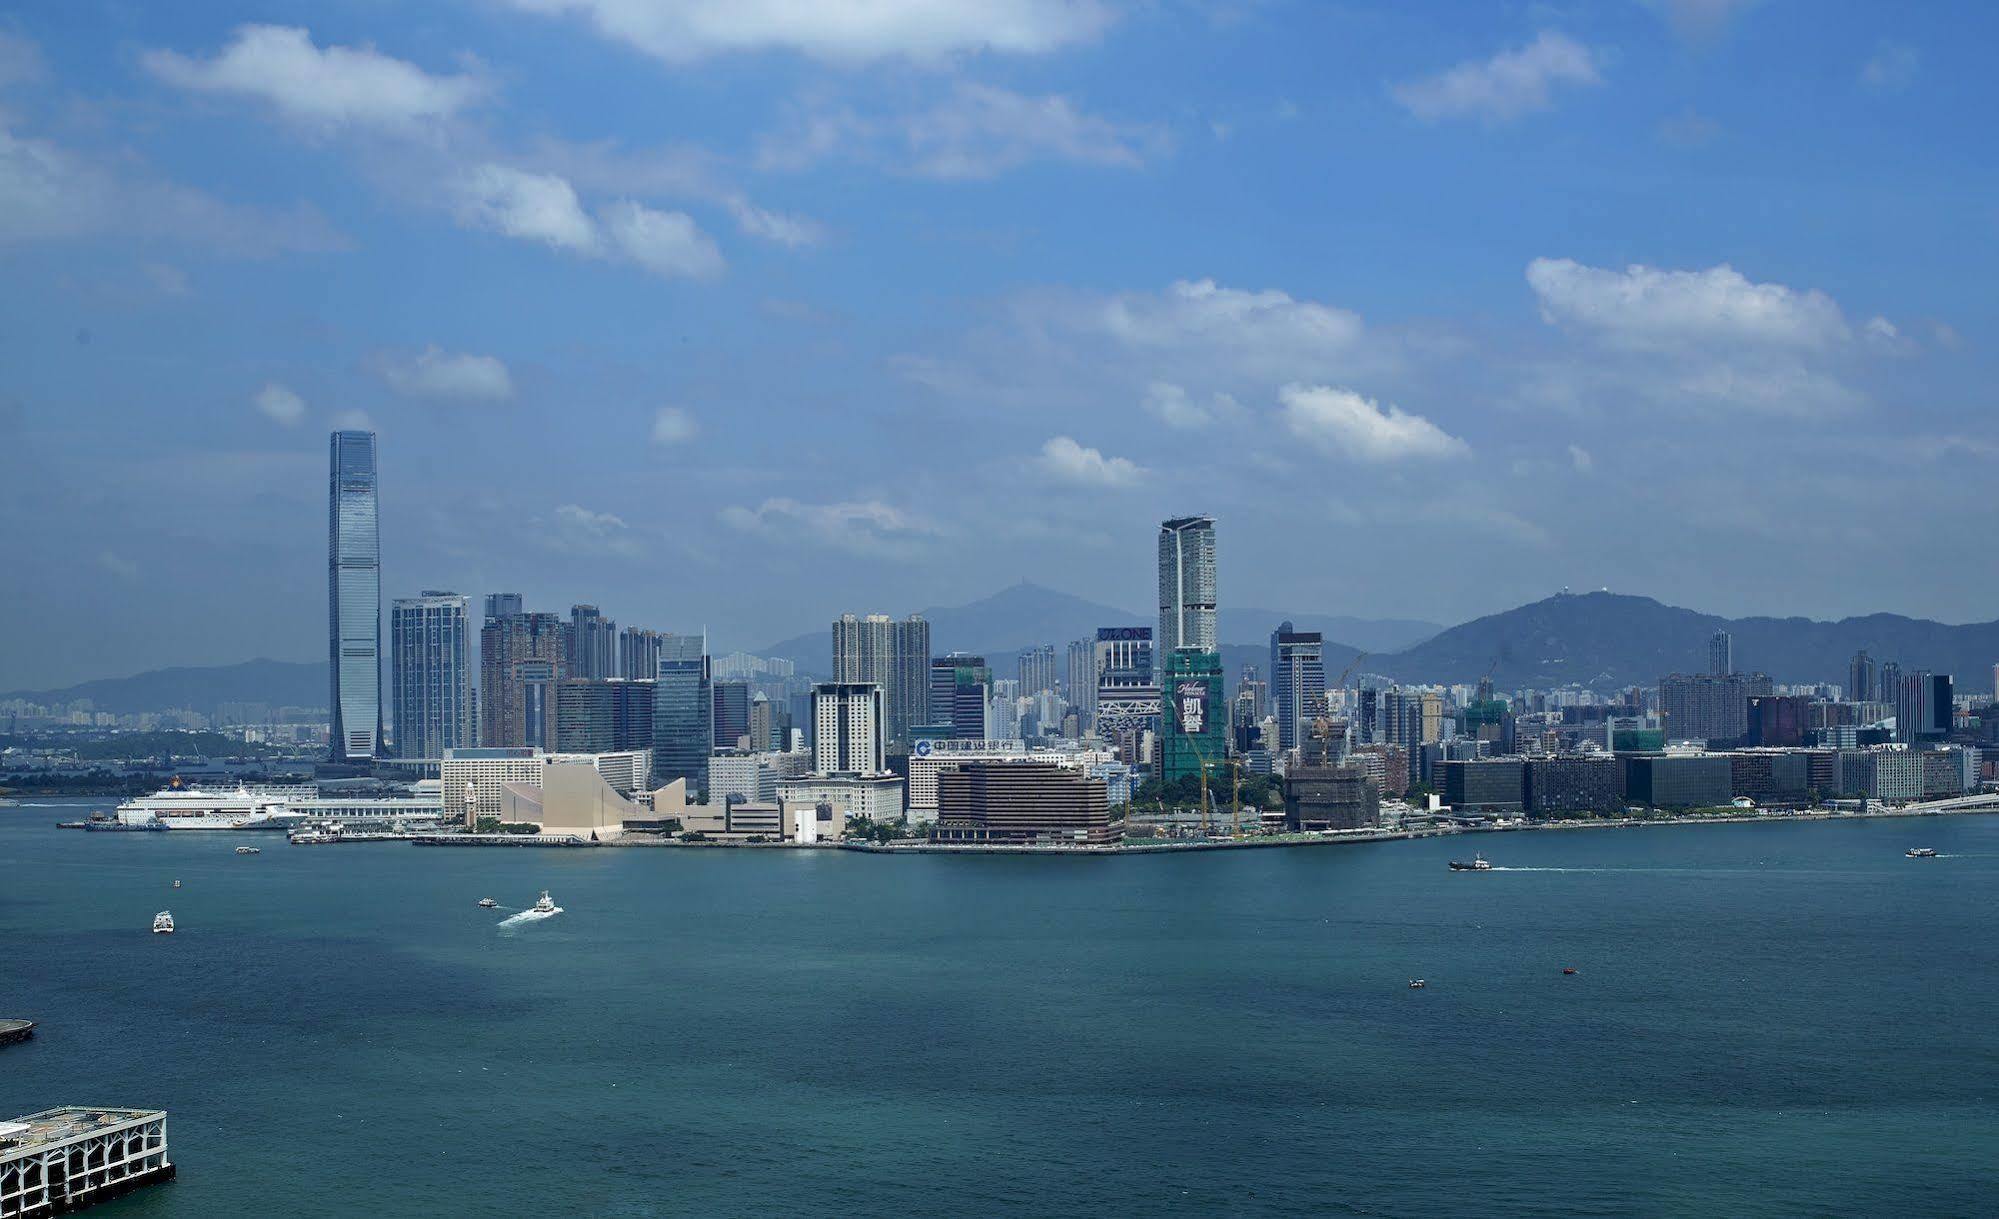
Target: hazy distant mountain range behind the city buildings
[[1600, 640]]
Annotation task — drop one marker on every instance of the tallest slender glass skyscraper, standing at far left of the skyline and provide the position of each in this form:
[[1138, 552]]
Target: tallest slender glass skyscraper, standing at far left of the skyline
[[355, 597]]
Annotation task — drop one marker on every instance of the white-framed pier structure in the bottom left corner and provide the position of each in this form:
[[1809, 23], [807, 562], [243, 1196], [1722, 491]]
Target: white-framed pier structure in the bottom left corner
[[65, 1160]]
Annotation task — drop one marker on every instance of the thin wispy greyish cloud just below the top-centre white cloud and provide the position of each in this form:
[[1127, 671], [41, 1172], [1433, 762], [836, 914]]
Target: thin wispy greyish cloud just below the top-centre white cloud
[[975, 133]]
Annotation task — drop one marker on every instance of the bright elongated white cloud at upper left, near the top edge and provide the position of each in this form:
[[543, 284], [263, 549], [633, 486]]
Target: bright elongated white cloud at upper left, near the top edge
[[323, 89]]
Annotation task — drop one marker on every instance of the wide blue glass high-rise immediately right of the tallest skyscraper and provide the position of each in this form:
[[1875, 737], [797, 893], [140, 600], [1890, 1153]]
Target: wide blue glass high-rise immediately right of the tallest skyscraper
[[431, 666]]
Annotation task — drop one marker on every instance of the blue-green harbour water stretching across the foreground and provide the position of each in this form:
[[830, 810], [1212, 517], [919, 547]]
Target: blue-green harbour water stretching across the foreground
[[1766, 1020]]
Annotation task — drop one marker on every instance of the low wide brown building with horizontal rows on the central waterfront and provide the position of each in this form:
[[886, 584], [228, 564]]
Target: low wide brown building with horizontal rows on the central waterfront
[[1022, 804]]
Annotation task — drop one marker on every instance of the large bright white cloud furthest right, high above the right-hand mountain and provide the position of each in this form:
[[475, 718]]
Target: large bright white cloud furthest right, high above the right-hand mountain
[[1644, 307]]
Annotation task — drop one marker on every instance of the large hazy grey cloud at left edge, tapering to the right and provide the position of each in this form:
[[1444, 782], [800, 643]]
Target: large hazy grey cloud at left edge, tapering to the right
[[51, 193]]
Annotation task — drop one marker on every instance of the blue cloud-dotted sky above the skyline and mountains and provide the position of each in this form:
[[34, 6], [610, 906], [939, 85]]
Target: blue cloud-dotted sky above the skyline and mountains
[[743, 313]]
